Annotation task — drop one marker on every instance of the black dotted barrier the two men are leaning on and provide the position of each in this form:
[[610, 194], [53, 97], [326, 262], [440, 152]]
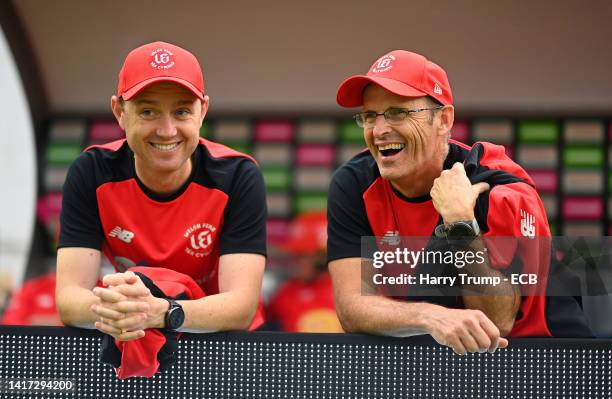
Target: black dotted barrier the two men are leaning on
[[277, 365]]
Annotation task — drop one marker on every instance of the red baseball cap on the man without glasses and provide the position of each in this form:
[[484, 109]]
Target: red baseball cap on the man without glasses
[[159, 62]]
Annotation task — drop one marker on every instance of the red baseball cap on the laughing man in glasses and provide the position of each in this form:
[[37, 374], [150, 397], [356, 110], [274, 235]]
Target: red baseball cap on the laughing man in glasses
[[401, 72]]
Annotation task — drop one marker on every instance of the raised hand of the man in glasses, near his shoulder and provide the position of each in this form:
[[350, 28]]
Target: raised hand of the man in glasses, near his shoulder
[[454, 196]]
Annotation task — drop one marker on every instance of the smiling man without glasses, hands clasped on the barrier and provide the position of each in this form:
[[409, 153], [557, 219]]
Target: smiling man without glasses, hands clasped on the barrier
[[163, 197]]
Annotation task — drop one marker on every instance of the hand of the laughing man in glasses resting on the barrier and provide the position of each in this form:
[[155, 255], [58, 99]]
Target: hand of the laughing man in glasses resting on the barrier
[[465, 330]]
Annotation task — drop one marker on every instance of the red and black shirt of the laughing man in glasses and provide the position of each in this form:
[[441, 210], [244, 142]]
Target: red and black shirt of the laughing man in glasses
[[362, 203]]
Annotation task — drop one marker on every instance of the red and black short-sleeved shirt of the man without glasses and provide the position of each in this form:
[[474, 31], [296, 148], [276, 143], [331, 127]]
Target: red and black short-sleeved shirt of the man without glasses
[[221, 209]]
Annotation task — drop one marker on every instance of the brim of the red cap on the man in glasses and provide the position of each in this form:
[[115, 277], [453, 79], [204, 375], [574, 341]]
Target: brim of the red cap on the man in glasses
[[350, 92]]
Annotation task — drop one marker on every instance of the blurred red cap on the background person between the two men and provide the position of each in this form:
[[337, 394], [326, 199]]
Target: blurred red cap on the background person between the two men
[[308, 234]]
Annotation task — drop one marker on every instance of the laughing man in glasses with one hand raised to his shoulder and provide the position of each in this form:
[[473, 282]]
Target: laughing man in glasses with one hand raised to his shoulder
[[416, 181]]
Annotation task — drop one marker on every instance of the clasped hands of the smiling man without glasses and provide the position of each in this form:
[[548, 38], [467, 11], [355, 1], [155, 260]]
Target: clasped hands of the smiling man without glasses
[[126, 307]]
